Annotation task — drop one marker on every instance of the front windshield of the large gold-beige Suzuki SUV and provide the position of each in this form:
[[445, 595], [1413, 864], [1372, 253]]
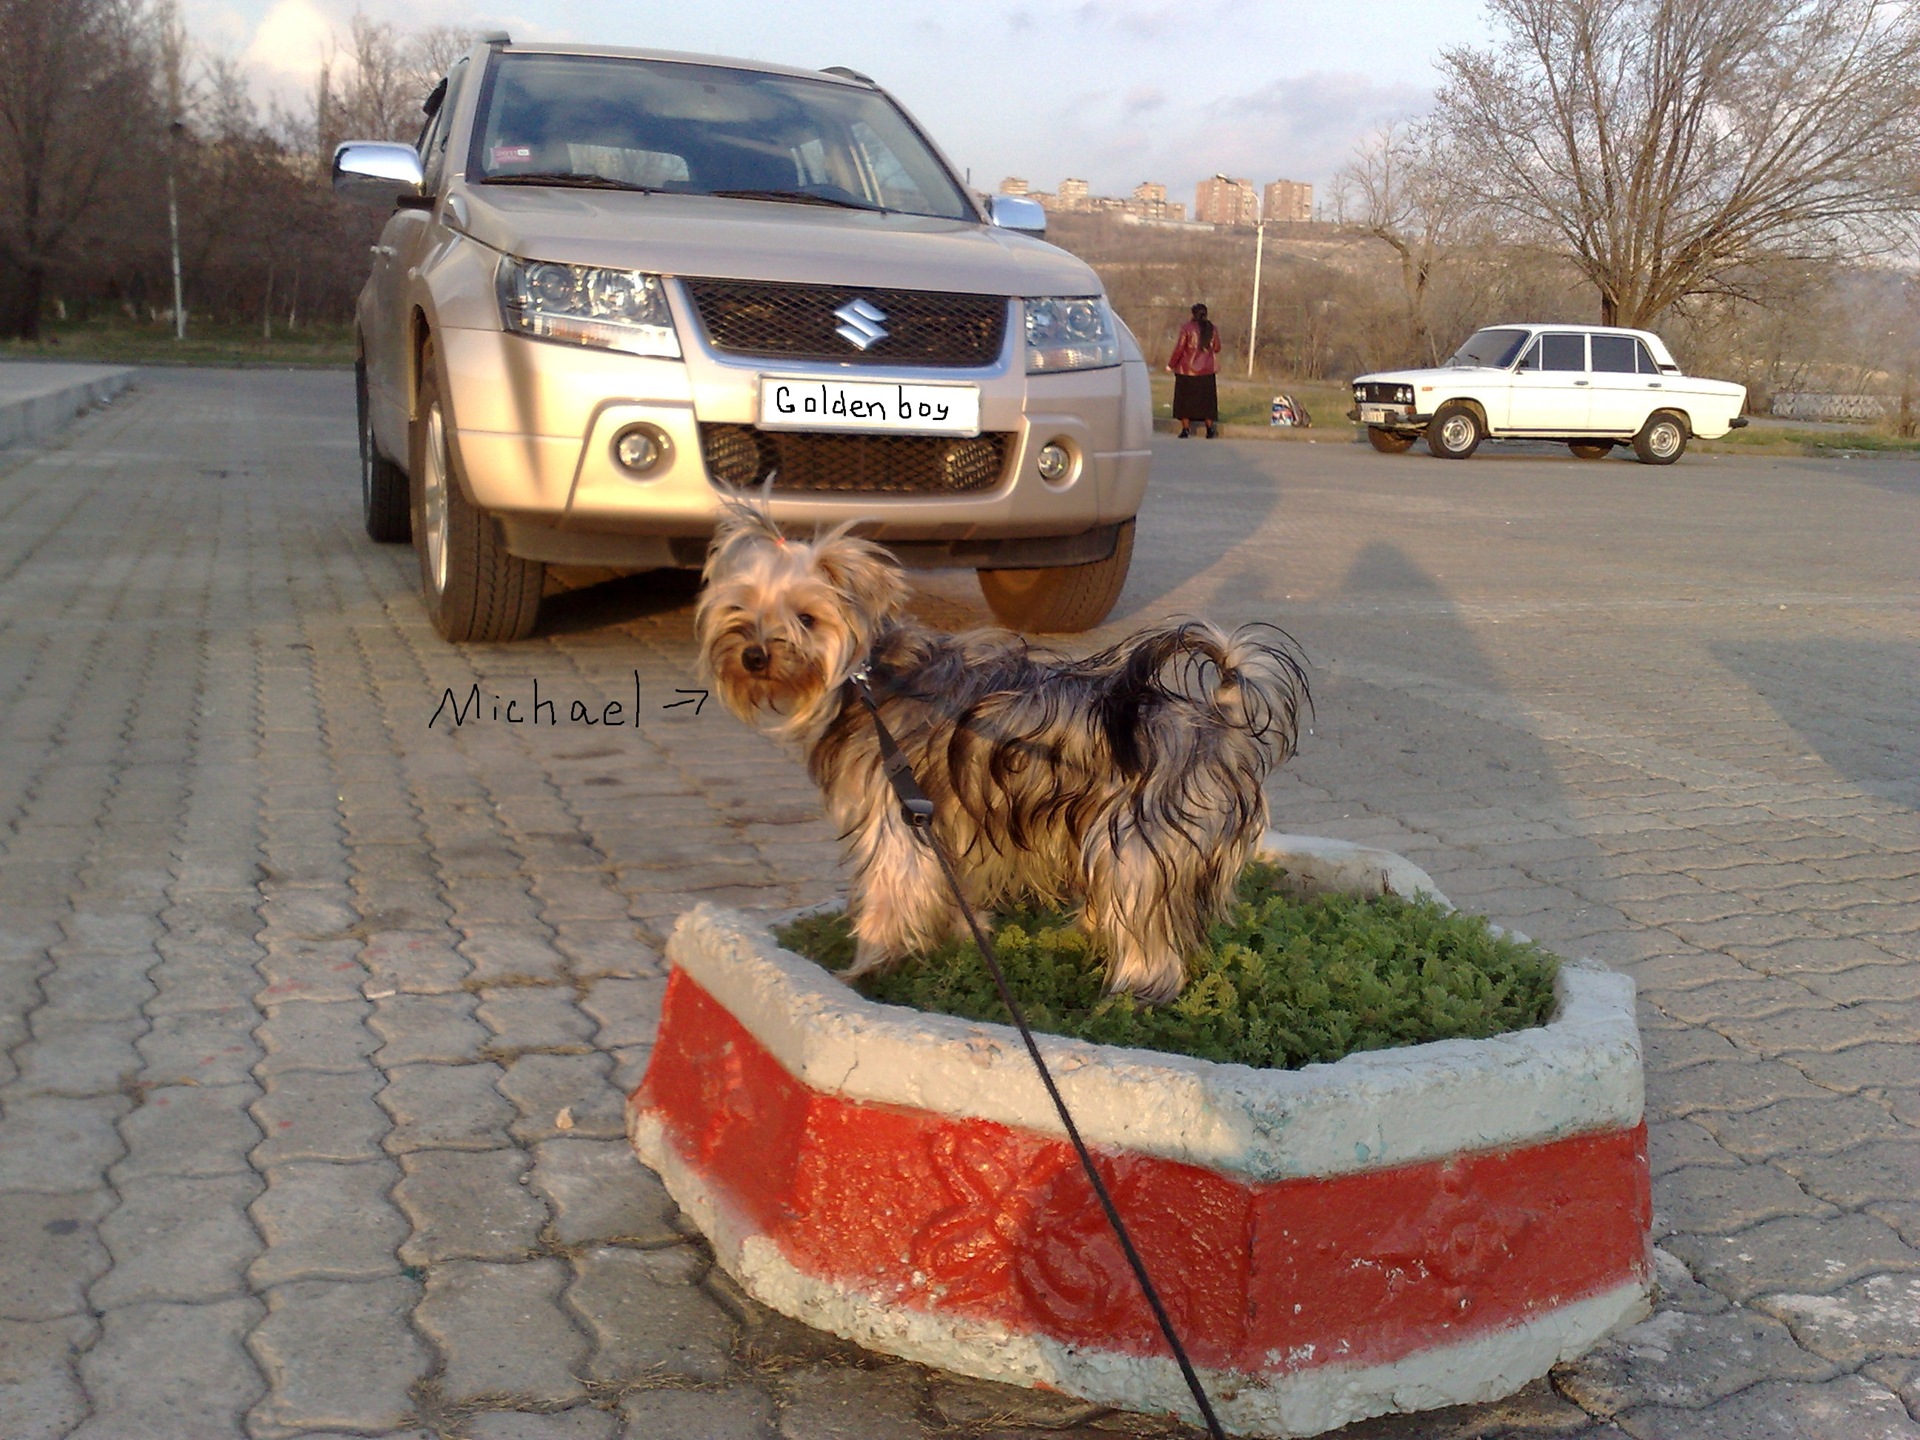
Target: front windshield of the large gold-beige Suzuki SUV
[[704, 132]]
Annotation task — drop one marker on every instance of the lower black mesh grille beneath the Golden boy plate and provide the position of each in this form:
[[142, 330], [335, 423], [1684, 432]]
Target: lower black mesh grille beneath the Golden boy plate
[[875, 466]]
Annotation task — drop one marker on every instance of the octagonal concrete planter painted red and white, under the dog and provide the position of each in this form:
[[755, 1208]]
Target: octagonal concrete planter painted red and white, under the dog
[[1397, 1232]]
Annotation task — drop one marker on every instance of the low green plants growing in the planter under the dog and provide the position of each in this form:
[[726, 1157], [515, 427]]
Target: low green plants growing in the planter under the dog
[[1285, 982]]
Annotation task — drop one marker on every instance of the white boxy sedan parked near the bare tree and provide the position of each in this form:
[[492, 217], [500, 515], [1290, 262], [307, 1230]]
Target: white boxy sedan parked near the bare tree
[[1589, 385]]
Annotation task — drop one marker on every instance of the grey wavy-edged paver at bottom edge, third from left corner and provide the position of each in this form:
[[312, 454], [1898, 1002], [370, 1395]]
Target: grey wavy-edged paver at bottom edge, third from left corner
[[339, 1356]]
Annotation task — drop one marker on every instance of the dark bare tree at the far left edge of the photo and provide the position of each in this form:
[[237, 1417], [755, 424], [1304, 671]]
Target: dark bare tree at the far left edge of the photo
[[76, 105]]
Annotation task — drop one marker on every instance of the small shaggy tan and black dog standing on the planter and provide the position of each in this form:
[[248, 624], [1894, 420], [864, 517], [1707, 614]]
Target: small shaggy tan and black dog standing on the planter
[[1128, 782]]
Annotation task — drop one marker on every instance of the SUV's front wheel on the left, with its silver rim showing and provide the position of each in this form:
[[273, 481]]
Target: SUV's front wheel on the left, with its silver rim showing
[[473, 588]]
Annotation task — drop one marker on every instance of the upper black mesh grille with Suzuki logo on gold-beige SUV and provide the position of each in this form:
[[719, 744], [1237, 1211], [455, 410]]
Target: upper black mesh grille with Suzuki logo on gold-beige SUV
[[798, 322]]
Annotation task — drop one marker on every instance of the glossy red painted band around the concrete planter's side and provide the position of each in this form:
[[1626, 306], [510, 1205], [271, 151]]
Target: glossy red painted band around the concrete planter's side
[[997, 1224]]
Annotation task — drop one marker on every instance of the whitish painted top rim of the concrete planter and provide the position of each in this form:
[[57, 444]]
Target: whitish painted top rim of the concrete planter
[[1370, 1111]]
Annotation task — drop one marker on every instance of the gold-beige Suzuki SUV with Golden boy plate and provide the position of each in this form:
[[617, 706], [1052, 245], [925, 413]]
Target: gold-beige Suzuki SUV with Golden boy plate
[[619, 283]]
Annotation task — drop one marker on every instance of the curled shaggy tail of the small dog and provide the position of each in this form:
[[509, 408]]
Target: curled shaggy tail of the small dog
[[1253, 681]]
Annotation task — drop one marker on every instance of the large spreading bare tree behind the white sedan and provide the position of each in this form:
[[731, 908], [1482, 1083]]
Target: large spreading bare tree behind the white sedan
[[1666, 145]]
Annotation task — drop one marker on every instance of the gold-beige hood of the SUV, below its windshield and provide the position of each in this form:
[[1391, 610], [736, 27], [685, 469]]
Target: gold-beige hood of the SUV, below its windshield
[[769, 241]]
